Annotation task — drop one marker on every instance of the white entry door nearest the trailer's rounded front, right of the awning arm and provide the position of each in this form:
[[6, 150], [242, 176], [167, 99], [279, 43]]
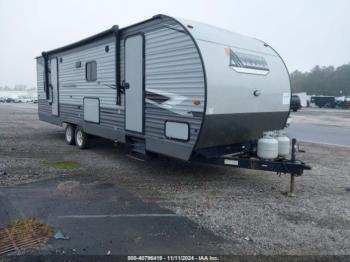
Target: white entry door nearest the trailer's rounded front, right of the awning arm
[[134, 83]]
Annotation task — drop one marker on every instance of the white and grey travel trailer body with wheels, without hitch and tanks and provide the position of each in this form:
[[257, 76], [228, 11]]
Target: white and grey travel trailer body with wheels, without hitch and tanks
[[169, 86]]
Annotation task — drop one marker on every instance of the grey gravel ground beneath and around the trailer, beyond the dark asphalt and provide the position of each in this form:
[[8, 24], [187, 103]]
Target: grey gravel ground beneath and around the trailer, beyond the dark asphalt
[[245, 207]]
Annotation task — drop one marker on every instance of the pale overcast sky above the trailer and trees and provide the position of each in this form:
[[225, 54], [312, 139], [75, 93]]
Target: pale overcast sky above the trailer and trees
[[303, 32]]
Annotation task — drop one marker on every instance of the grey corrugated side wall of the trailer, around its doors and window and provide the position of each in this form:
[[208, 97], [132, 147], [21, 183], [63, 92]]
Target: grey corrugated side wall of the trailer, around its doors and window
[[174, 79]]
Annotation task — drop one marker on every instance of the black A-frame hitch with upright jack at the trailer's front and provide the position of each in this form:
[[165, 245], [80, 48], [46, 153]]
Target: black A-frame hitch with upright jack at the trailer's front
[[291, 166]]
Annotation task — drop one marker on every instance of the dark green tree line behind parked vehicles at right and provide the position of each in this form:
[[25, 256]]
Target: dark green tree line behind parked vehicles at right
[[325, 80]]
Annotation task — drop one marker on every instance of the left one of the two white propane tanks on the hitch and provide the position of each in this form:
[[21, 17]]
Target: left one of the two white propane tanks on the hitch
[[268, 146]]
